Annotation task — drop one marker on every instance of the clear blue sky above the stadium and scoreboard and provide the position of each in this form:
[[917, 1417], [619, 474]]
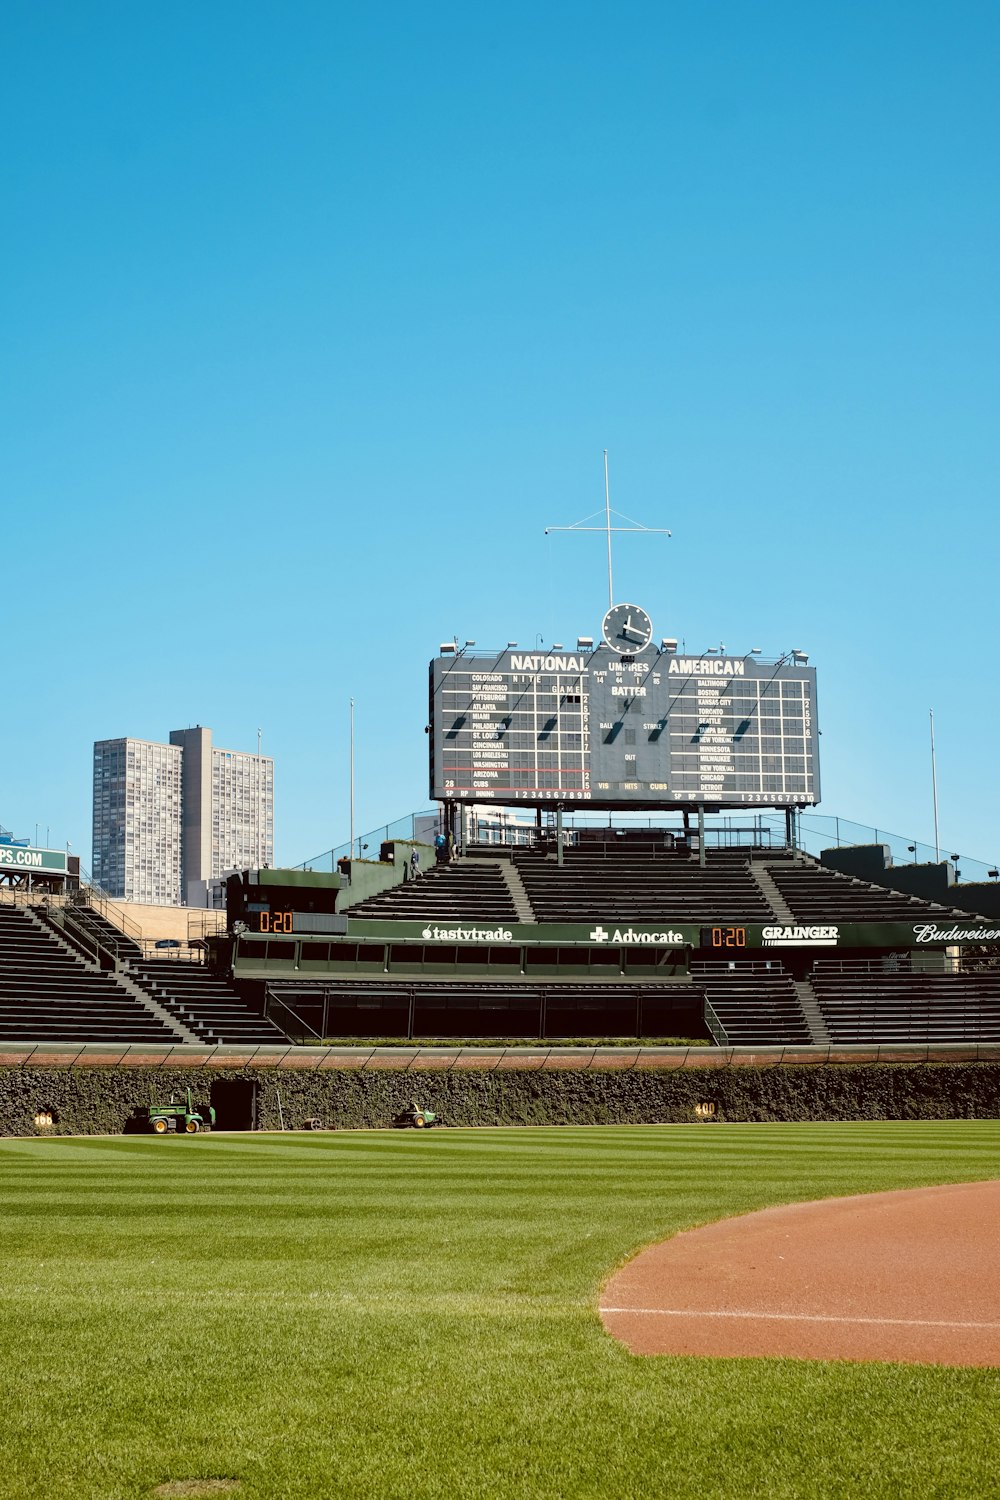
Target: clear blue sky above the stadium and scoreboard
[[316, 316]]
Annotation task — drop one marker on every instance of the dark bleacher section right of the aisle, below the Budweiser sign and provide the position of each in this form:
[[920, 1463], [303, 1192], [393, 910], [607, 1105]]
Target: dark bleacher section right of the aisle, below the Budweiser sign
[[884, 1007]]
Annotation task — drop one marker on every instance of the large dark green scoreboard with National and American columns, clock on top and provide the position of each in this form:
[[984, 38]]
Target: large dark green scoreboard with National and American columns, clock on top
[[641, 728]]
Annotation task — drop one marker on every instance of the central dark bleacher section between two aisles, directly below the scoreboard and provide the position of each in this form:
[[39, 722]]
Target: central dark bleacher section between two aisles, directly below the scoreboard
[[639, 884]]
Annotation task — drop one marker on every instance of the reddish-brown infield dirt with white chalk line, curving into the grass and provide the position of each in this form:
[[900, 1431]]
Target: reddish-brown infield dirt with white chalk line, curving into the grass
[[911, 1277]]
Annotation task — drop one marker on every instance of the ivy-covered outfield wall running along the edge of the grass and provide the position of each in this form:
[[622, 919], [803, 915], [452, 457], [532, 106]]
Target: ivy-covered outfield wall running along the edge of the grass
[[94, 1100]]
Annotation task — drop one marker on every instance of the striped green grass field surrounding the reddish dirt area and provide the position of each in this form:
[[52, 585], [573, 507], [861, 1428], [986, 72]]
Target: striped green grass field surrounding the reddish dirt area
[[400, 1315]]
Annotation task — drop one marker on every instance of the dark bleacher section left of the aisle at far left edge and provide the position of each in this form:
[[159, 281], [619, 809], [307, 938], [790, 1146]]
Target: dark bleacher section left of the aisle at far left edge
[[50, 995]]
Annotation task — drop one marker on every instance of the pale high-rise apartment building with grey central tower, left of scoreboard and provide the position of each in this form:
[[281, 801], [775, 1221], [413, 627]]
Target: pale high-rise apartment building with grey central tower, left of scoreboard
[[169, 818]]
